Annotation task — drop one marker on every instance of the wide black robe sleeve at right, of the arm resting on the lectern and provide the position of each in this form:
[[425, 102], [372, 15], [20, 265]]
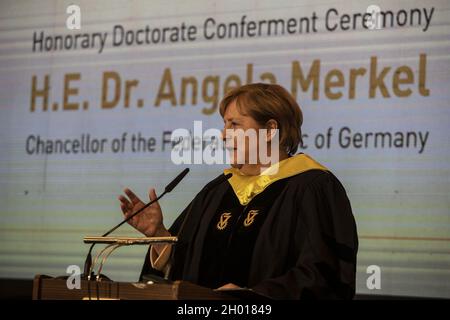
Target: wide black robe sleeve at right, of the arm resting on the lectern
[[325, 245]]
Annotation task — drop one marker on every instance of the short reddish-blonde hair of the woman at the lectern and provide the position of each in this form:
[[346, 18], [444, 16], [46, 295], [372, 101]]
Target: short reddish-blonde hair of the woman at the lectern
[[264, 102]]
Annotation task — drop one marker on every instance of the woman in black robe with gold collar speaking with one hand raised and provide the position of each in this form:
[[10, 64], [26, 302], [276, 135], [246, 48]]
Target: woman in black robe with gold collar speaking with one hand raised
[[287, 233]]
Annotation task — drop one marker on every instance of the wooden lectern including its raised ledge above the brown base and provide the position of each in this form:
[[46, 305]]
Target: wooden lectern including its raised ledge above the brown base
[[48, 288]]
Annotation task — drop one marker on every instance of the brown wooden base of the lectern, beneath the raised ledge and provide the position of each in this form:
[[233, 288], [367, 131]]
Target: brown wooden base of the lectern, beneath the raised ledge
[[48, 288]]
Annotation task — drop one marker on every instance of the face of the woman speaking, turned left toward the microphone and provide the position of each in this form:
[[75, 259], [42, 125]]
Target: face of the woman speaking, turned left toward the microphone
[[241, 136]]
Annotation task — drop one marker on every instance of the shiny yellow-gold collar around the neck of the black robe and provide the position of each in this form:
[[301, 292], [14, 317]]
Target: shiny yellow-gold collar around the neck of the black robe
[[247, 187]]
